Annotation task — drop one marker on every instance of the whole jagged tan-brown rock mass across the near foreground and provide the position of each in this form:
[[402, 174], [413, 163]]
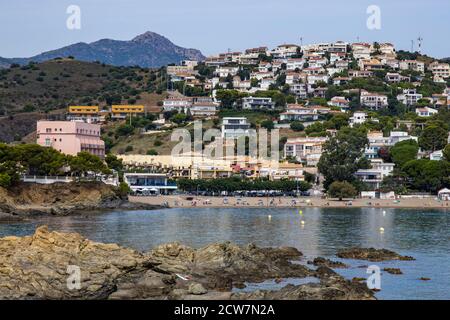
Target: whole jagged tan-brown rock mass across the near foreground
[[41, 266]]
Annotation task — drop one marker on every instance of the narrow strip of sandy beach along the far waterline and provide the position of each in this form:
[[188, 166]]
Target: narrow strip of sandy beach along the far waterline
[[185, 201]]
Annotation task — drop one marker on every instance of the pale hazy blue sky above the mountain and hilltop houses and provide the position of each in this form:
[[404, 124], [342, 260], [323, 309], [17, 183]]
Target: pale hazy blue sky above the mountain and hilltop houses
[[29, 27]]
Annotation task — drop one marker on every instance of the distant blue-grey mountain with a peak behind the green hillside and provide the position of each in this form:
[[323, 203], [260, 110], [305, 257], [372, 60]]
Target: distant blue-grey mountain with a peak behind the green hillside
[[149, 50]]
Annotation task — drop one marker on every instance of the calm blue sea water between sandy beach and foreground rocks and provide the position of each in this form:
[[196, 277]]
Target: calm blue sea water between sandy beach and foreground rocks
[[423, 234]]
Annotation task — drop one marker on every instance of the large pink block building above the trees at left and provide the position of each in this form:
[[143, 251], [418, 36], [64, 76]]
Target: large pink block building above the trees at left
[[71, 137]]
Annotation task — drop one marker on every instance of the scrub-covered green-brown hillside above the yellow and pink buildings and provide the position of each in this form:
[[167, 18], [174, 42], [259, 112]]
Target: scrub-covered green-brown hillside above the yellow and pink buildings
[[34, 91]]
